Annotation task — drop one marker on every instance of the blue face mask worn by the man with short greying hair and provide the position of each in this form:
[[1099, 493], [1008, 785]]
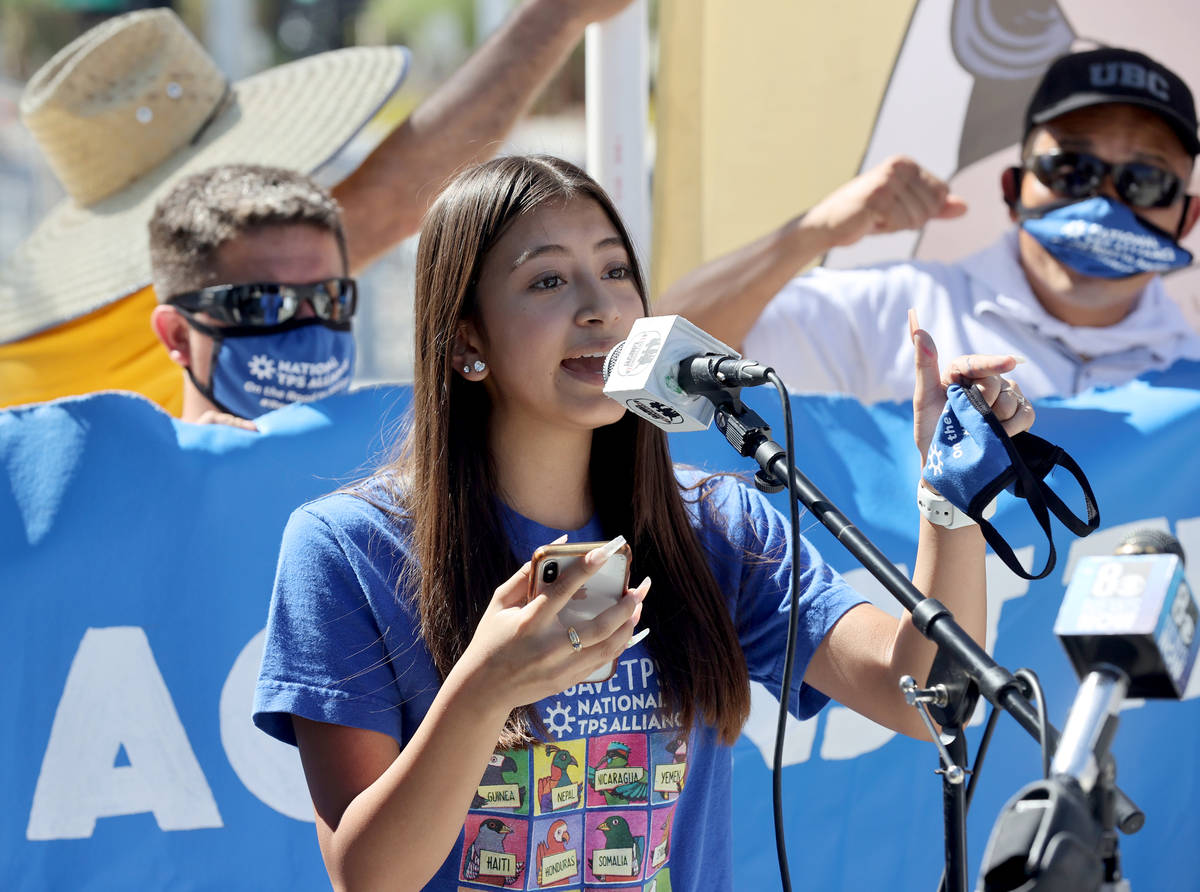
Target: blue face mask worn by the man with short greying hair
[[262, 368]]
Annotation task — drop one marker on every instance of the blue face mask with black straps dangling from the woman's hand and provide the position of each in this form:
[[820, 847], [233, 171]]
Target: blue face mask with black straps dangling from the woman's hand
[[973, 459]]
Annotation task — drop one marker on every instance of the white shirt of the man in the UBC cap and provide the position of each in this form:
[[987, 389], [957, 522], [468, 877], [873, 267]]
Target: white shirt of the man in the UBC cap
[[848, 331]]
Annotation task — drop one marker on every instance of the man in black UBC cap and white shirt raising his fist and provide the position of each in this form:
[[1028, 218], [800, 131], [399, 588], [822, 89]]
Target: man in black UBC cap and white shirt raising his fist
[[1099, 200]]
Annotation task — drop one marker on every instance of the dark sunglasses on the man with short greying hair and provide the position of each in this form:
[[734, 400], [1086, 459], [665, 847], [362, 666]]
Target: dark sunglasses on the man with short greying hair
[[272, 303]]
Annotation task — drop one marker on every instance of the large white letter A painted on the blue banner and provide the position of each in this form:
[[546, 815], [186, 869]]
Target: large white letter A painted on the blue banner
[[116, 697]]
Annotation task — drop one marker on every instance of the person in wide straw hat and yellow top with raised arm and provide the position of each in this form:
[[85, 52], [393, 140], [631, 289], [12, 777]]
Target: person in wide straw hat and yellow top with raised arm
[[135, 105]]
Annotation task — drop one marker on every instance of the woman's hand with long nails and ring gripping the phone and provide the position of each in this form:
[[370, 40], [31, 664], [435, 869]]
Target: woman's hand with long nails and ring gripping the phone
[[523, 650]]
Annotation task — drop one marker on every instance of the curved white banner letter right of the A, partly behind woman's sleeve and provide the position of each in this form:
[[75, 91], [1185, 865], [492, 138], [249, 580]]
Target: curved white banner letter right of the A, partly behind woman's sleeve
[[268, 768]]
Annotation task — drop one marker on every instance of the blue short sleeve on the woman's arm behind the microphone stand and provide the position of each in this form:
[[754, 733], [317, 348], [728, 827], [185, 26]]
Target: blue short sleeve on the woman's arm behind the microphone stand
[[765, 601]]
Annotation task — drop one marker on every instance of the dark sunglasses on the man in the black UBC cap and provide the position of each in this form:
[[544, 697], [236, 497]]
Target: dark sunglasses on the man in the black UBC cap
[[1077, 175]]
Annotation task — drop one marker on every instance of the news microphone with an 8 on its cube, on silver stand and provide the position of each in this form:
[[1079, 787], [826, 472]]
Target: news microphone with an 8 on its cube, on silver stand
[[1129, 625]]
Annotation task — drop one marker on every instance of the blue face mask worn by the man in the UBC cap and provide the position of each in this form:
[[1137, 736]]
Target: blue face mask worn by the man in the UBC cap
[[1100, 237]]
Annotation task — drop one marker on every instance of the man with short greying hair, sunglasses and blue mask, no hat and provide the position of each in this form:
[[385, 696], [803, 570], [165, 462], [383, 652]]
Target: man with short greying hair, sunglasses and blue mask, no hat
[[257, 300]]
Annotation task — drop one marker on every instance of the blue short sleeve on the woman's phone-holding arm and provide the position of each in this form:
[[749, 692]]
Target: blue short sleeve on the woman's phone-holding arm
[[326, 656]]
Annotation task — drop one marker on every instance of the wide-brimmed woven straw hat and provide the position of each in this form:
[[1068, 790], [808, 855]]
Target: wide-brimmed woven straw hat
[[135, 105]]
